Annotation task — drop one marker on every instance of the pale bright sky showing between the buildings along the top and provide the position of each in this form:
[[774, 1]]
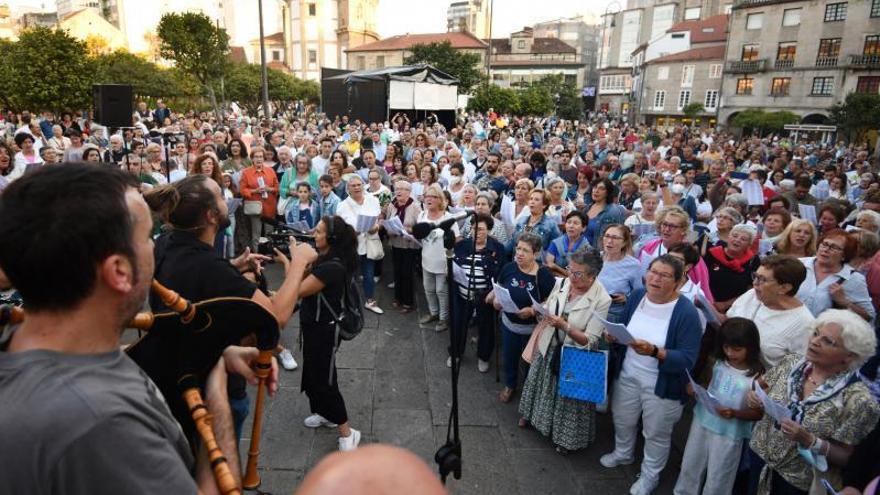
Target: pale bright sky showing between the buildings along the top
[[429, 16]]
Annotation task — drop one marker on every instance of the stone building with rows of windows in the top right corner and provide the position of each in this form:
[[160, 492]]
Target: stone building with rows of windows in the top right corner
[[800, 56]]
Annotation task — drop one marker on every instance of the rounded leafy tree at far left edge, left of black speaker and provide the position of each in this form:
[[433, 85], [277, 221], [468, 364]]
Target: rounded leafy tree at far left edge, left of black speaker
[[45, 69]]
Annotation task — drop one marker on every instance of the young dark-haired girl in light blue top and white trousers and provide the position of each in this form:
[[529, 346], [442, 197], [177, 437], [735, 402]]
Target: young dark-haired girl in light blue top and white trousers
[[716, 437]]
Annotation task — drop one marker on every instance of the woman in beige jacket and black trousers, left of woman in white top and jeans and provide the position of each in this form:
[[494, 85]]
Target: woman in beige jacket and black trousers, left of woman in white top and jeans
[[404, 250]]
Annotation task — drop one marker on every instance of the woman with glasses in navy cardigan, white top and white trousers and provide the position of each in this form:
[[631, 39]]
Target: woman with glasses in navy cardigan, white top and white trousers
[[652, 380]]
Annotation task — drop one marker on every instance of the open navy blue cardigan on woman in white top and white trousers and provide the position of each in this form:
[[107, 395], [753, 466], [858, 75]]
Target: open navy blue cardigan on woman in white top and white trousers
[[682, 346]]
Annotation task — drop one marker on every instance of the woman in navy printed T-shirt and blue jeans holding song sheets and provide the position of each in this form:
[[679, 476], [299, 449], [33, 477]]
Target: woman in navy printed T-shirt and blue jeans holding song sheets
[[526, 280]]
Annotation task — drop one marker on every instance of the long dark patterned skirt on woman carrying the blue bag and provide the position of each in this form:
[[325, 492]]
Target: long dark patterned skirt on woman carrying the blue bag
[[569, 423]]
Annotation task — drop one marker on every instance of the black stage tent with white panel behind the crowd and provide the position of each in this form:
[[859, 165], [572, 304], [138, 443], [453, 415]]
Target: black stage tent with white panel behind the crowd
[[377, 95]]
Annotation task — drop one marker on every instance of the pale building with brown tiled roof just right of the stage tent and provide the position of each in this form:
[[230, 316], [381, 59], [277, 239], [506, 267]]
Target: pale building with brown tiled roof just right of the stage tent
[[524, 58]]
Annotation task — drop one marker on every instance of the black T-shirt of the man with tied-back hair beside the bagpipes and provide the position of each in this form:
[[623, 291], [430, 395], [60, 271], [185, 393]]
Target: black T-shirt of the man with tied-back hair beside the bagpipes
[[193, 269]]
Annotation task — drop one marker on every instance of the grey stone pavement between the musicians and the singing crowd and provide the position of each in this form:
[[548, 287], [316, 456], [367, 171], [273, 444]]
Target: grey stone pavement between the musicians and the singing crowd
[[397, 390]]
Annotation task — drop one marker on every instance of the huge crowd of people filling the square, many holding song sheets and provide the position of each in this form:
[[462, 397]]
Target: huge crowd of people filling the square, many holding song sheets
[[745, 268]]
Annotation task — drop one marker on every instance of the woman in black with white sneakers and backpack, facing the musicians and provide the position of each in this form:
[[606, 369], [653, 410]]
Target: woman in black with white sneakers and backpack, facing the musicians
[[336, 242]]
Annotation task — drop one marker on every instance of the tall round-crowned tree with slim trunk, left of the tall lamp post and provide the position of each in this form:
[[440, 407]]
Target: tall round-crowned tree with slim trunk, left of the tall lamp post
[[196, 46]]
